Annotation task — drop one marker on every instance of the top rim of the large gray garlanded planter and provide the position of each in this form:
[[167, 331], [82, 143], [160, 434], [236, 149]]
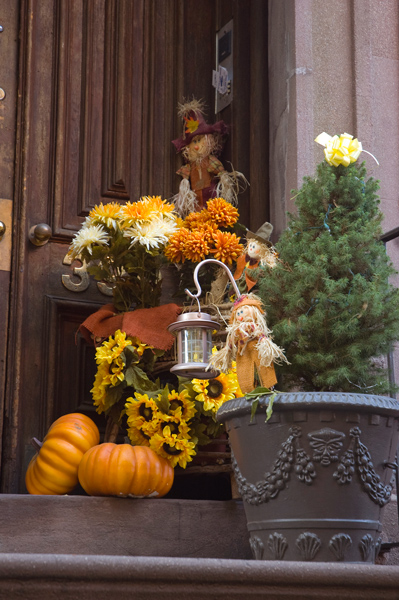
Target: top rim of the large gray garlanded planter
[[311, 401]]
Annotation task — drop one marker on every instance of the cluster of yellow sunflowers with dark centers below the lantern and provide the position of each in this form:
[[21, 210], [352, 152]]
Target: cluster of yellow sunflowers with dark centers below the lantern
[[172, 422]]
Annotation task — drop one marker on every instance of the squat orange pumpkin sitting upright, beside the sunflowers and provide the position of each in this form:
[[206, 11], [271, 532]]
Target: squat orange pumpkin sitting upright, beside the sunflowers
[[123, 470]]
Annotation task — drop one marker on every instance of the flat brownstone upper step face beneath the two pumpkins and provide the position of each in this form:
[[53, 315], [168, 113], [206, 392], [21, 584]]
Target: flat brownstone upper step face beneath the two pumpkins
[[123, 526]]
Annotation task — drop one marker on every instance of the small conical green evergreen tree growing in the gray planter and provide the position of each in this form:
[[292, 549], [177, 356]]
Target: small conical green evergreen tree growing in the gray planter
[[329, 300]]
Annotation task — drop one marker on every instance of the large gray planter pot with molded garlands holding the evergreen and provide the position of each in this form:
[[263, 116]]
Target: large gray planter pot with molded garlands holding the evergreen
[[313, 478]]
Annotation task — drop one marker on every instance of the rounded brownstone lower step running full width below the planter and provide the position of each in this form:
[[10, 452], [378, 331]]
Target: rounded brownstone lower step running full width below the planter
[[34, 577]]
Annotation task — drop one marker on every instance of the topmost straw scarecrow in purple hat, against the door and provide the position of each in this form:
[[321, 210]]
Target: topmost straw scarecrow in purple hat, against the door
[[203, 175]]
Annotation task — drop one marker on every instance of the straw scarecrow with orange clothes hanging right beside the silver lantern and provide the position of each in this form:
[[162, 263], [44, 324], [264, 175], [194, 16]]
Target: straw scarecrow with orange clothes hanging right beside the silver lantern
[[250, 344]]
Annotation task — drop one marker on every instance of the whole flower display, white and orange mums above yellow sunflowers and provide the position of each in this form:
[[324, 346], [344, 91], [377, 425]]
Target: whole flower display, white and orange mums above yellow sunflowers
[[125, 246]]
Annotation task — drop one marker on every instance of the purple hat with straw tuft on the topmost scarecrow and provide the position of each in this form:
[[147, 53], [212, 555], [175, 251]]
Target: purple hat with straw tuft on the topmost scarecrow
[[194, 123]]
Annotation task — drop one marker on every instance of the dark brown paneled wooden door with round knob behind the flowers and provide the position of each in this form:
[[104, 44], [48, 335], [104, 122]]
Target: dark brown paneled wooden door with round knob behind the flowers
[[98, 86]]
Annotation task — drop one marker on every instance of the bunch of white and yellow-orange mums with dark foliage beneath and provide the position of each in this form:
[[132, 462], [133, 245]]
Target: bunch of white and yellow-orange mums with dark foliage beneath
[[123, 246]]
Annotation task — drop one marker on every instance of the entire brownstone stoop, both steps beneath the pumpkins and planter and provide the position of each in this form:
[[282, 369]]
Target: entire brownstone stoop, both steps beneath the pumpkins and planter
[[81, 548]]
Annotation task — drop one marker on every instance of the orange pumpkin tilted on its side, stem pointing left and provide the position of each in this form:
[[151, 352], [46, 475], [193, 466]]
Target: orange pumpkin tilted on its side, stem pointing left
[[54, 469]]
